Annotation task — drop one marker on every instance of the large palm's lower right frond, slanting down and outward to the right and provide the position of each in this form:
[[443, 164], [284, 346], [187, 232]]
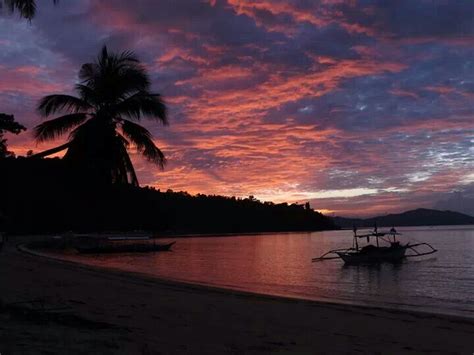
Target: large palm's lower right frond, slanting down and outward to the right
[[142, 139]]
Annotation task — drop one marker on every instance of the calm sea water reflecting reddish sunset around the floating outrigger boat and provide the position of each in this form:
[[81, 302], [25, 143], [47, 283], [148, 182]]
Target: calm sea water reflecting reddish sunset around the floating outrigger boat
[[280, 264]]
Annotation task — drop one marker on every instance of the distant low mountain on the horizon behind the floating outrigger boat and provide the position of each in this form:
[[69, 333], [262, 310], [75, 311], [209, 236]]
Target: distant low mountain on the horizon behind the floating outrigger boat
[[418, 217]]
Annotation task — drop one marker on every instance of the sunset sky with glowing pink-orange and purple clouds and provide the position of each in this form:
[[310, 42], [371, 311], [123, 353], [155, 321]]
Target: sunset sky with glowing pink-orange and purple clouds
[[361, 107]]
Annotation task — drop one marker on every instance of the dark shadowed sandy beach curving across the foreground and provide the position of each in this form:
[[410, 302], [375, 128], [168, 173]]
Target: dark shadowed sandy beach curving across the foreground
[[51, 307]]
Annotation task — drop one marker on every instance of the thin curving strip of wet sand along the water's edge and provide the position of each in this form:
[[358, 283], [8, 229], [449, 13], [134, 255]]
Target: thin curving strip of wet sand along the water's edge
[[196, 285]]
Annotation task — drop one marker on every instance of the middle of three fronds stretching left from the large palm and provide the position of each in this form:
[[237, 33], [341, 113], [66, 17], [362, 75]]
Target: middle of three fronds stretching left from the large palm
[[55, 128]]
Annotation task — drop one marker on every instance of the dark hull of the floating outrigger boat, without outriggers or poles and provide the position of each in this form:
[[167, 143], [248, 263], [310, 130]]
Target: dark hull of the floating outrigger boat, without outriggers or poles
[[376, 255]]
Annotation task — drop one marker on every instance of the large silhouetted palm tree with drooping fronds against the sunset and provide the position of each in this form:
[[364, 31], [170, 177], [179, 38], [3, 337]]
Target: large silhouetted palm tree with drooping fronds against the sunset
[[113, 93]]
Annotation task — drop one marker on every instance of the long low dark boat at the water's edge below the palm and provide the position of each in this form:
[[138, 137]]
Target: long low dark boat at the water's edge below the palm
[[106, 245]]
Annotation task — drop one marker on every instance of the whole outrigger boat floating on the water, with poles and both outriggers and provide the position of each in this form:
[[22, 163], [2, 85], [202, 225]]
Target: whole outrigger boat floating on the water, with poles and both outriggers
[[393, 252]]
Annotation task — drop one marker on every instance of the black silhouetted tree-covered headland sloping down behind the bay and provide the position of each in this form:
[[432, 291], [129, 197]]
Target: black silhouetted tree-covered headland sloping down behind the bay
[[47, 195]]
